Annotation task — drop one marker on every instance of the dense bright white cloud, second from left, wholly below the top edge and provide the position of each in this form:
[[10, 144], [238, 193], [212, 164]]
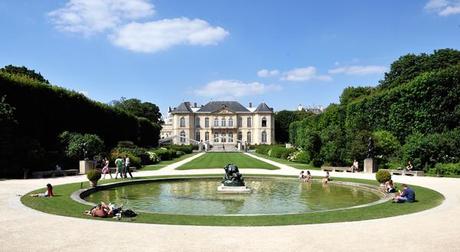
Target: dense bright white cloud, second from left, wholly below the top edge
[[159, 35]]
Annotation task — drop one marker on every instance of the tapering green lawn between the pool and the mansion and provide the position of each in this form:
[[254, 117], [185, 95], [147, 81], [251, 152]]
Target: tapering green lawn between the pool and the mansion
[[219, 160]]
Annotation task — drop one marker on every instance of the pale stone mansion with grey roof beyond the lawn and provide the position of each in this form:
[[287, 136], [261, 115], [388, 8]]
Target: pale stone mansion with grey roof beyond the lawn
[[219, 123]]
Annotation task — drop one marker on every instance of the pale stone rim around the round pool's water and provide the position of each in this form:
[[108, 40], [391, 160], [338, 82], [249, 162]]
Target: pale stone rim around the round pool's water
[[79, 195]]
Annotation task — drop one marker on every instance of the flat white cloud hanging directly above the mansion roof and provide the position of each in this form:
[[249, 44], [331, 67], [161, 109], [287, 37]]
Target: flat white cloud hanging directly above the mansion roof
[[234, 89]]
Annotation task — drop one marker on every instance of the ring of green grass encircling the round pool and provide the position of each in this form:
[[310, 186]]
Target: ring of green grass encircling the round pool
[[63, 205]]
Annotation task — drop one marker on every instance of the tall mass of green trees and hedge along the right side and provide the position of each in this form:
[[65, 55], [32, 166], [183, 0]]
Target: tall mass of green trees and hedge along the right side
[[415, 105]]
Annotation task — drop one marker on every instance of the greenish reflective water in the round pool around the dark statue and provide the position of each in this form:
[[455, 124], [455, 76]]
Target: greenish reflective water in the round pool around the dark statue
[[269, 196]]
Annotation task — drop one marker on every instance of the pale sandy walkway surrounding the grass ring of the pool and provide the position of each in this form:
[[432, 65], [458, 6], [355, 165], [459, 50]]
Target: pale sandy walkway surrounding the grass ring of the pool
[[24, 229]]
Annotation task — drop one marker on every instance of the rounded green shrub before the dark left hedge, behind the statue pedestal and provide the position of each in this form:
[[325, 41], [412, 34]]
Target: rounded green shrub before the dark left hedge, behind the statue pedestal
[[81, 146]]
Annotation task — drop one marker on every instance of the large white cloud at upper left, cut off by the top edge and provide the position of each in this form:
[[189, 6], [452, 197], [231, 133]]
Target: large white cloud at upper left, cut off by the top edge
[[92, 16]]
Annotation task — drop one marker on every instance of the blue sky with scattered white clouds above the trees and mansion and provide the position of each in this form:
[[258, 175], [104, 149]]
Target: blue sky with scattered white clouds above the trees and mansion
[[284, 53]]
